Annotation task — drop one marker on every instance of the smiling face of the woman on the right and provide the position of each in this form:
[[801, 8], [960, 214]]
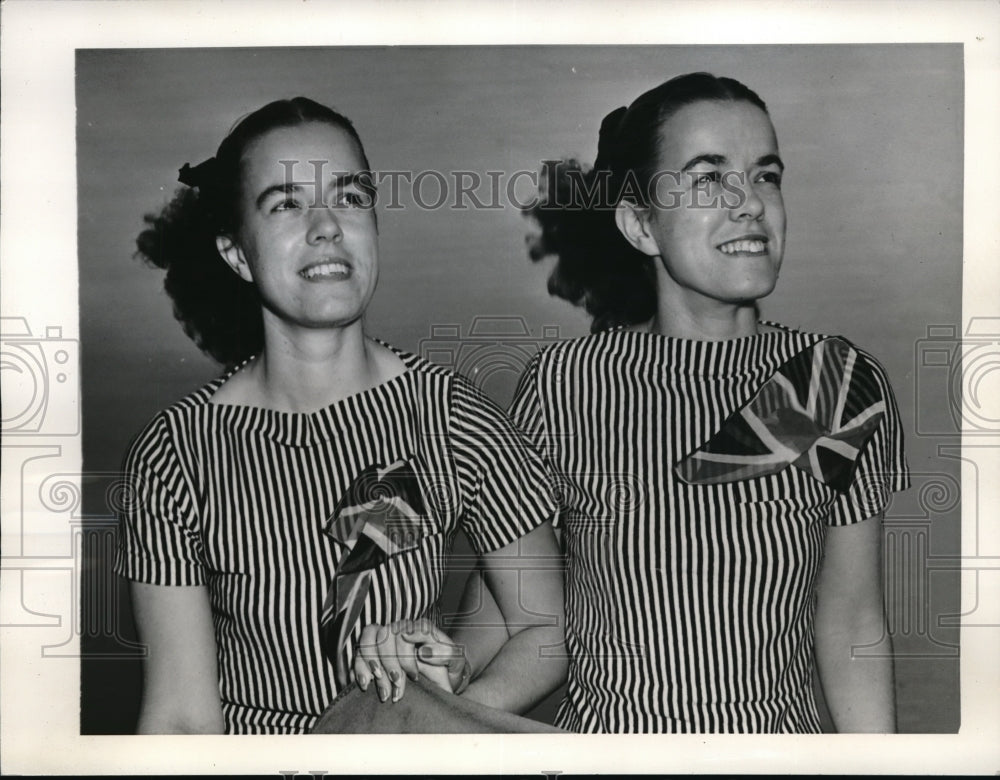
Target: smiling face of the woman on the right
[[720, 228]]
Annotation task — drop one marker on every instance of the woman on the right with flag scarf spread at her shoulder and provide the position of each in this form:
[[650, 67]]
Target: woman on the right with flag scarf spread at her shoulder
[[723, 478]]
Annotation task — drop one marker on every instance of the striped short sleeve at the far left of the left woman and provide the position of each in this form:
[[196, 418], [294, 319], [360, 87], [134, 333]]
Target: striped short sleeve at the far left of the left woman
[[158, 538]]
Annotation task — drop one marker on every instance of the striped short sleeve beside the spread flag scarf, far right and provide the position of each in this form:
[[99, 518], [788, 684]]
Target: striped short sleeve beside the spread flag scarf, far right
[[881, 468]]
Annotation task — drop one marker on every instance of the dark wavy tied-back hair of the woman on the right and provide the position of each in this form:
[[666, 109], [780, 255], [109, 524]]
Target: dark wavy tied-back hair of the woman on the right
[[596, 267]]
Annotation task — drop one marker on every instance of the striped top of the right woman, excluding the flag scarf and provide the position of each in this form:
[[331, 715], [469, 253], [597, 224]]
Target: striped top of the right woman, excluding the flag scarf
[[689, 606]]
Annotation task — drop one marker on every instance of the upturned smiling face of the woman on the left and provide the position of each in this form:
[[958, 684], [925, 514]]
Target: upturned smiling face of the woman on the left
[[307, 237]]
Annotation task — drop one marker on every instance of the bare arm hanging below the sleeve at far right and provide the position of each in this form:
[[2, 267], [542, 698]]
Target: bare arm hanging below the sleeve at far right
[[850, 613]]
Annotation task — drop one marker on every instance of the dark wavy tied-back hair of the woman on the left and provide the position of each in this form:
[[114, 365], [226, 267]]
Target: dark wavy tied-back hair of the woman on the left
[[219, 311]]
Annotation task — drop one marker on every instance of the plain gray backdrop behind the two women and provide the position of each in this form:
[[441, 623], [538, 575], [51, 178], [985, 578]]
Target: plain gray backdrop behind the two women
[[872, 137]]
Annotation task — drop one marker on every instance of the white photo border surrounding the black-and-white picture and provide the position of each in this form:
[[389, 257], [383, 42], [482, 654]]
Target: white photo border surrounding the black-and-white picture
[[39, 711]]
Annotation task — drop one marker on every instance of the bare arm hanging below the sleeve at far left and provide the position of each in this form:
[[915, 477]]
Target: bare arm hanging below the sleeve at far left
[[180, 674]]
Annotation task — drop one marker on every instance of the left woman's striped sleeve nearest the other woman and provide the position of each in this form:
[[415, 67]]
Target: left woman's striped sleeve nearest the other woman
[[506, 487]]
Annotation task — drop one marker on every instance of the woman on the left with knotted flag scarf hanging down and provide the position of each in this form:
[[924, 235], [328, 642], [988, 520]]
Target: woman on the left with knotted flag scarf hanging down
[[286, 510]]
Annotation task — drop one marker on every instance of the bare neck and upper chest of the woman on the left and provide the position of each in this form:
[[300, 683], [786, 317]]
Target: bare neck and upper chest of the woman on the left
[[304, 370]]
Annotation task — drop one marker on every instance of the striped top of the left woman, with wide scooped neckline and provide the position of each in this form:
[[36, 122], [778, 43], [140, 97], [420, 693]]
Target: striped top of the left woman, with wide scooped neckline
[[235, 498]]
